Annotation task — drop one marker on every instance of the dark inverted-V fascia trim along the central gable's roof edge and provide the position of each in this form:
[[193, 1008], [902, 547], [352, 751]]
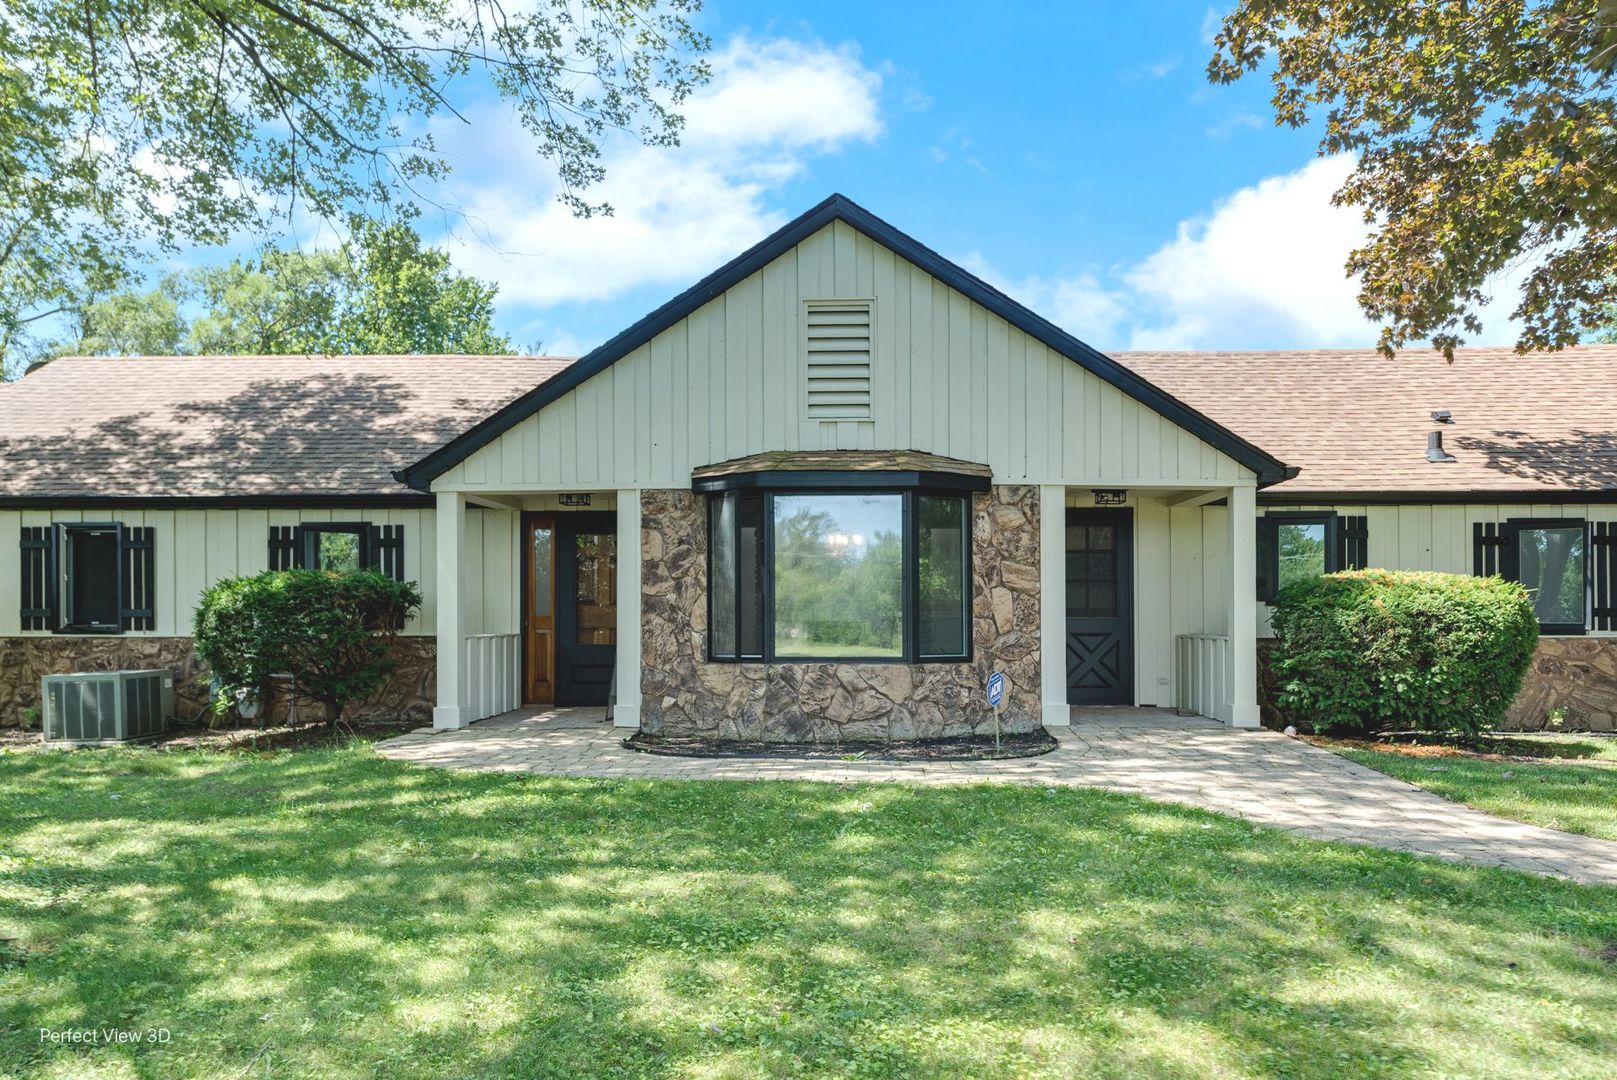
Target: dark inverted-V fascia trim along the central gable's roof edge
[[838, 208]]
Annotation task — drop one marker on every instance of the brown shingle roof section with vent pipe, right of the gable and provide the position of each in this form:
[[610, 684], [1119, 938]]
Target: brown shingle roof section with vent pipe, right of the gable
[[1354, 421]]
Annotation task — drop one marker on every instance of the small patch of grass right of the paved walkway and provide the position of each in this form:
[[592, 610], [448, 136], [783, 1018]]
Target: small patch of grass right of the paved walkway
[[1560, 782]]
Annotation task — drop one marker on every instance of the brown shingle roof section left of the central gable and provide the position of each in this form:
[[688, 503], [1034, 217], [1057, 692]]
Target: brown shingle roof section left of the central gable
[[243, 426]]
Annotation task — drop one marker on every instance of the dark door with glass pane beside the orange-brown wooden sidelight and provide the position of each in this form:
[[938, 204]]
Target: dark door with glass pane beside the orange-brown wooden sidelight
[[586, 607]]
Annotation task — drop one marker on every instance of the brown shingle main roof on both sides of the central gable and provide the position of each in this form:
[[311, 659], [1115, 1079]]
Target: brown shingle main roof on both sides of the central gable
[[332, 426]]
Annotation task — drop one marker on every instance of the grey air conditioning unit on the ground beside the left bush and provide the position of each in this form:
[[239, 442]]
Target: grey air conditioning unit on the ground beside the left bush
[[96, 707]]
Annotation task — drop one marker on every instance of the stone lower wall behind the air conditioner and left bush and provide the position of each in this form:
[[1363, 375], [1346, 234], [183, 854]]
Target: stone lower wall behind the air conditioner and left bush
[[410, 693]]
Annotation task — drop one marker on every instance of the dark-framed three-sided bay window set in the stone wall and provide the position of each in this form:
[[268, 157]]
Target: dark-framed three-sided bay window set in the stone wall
[[840, 575]]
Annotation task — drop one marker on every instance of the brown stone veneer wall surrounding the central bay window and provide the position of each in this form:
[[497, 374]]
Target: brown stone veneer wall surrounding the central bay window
[[834, 702]]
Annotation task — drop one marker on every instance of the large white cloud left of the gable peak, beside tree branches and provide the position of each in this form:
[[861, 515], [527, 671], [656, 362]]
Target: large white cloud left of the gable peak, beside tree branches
[[678, 213]]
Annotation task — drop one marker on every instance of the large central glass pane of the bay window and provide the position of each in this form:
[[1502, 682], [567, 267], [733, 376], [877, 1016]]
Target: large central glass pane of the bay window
[[838, 576]]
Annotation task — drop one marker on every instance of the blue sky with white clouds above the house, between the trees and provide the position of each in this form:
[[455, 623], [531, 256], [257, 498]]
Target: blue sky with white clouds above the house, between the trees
[[1073, 154]]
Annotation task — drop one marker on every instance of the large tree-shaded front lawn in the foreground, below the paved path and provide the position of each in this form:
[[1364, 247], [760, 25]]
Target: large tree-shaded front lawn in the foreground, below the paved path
[[342, 916]]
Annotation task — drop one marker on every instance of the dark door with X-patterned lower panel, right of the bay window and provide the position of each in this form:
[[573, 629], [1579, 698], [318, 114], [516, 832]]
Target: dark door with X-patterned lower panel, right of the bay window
[[1100, 607]]
